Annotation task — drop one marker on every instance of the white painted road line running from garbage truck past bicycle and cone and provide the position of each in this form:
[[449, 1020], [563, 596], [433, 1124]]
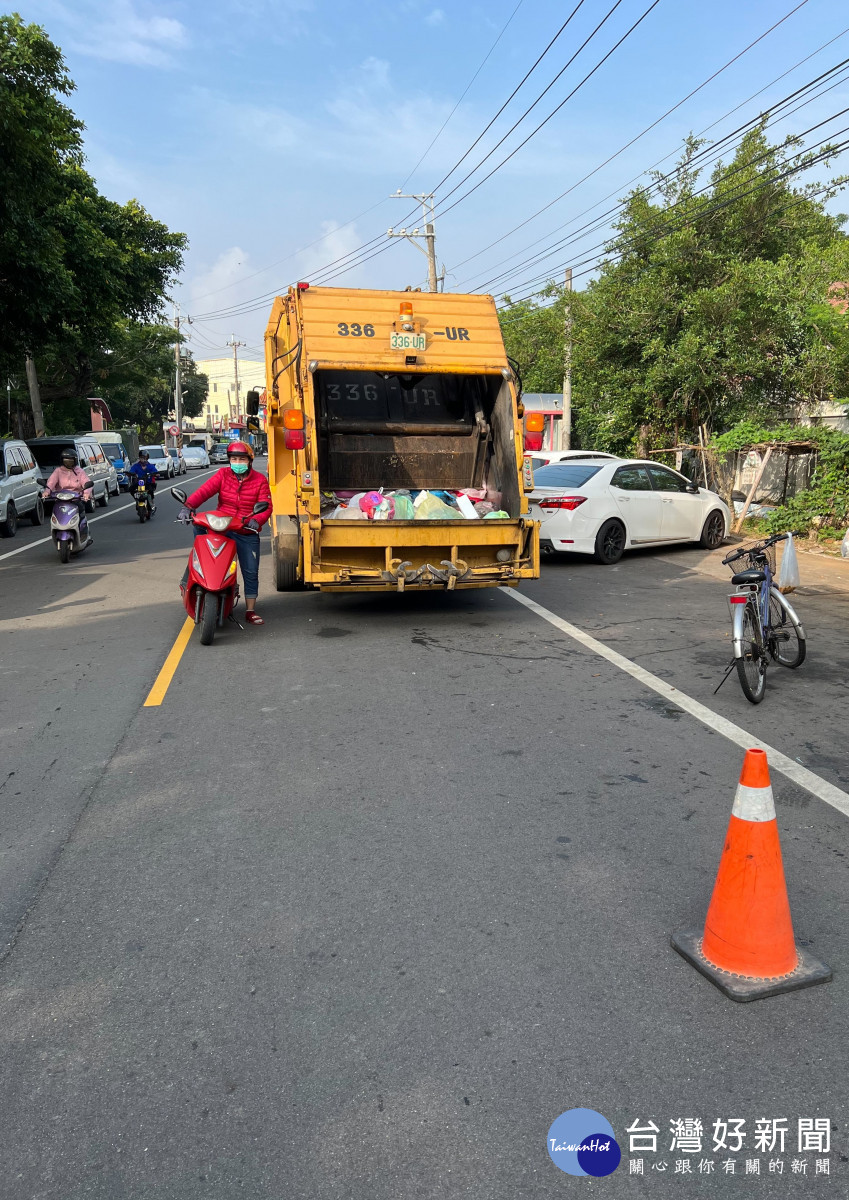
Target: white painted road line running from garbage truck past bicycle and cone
[[779, 761]]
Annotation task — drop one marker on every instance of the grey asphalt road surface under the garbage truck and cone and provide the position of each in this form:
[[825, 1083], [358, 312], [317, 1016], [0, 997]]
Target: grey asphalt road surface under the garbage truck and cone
[[386, 886]]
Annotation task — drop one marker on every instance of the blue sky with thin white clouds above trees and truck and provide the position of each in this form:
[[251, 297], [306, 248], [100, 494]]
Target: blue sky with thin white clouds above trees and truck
[[273, 133]]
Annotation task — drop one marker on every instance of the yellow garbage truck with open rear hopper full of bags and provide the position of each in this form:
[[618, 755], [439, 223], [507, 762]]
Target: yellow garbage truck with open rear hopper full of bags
[[406, 399]]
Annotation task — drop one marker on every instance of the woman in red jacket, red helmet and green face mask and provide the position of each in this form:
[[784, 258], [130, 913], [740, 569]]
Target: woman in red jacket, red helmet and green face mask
[[239, 488]]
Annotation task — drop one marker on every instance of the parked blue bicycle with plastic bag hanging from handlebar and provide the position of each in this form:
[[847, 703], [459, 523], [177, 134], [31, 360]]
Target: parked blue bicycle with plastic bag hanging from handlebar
[[764, 625]]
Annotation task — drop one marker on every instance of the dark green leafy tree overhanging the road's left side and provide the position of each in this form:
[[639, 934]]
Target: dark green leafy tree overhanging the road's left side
[[75, 267]]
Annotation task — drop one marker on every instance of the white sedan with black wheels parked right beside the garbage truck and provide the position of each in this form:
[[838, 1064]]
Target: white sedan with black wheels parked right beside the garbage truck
[[606, 508]]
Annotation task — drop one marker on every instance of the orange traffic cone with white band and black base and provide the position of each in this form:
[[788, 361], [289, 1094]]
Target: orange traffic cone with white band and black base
[[748, 947]]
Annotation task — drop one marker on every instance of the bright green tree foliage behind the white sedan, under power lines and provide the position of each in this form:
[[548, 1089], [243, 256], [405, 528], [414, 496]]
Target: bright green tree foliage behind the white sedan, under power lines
[[713, 304]]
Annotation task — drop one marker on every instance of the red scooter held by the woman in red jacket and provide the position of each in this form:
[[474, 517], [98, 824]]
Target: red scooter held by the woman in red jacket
[[210, 590]]
